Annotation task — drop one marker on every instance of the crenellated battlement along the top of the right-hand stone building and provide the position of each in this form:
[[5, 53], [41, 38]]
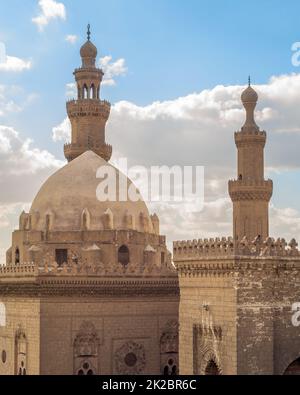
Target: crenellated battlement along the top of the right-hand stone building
[[226, 247]]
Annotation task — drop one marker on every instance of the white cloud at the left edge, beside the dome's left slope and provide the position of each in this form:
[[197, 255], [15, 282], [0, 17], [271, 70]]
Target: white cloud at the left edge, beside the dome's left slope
[[23, 169]]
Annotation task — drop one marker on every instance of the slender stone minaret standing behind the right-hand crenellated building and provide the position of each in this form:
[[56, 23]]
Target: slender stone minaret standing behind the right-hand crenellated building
[[250, 193]]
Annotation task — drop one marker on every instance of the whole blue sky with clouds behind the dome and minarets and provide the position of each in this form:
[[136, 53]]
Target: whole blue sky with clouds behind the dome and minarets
[[174, 72]]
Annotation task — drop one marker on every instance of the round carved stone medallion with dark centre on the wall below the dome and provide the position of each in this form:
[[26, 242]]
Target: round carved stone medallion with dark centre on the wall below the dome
[[130, 359]]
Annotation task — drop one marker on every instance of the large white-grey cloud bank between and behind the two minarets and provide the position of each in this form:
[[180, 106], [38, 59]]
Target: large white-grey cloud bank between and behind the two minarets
[[198, 129]]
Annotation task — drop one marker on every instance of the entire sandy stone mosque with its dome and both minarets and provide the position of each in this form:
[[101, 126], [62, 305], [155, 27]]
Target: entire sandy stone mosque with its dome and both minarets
[[90, 288]]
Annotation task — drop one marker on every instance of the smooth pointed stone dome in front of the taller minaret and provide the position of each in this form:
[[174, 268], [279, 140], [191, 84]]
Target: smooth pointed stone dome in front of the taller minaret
[[70, 193]]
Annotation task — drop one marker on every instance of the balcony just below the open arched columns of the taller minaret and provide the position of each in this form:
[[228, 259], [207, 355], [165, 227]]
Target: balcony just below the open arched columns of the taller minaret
[[88, 108]]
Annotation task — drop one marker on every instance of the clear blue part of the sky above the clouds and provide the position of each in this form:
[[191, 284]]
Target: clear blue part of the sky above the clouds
[[171, 48]]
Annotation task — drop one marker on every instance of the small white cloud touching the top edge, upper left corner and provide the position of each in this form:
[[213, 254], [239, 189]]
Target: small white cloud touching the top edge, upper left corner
[[50, 9]]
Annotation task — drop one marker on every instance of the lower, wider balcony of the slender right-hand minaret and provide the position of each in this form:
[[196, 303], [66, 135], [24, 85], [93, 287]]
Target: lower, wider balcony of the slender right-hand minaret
[[250, 190]]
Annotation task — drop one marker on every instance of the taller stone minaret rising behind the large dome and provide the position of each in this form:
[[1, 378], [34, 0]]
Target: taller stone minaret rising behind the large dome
[[88, 114]]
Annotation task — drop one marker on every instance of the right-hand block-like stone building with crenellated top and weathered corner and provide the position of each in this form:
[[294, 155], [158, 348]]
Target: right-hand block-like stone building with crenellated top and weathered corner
[[236, 305]]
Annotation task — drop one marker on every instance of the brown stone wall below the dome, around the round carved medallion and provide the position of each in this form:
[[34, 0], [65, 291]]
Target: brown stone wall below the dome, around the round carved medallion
[[122, 325]]
